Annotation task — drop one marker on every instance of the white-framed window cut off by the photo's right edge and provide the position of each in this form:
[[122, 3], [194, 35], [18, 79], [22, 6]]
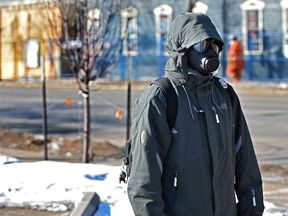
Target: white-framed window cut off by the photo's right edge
[[284, 5]]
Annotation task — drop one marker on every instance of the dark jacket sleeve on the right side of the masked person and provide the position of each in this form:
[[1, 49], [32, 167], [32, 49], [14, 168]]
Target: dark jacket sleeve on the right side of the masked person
[[248, 181]]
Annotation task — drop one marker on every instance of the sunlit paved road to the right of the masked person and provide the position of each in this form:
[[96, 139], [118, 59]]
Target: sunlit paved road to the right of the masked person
[[267, 117]]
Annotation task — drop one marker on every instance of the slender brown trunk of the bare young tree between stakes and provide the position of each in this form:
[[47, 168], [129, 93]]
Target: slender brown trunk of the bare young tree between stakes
[[86, 126]]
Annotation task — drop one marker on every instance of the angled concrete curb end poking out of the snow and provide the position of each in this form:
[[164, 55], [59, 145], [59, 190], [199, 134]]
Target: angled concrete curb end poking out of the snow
[[88, 205]]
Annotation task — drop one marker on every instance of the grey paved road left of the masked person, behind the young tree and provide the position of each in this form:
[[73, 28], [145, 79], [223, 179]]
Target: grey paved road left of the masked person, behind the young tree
[[22, 110]]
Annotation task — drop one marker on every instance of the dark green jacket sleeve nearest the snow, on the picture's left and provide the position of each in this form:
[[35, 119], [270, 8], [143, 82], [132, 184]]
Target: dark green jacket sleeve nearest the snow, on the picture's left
[[150, 143]]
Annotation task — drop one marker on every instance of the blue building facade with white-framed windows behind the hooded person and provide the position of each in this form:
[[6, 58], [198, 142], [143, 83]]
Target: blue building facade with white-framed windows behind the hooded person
[[261, 25]]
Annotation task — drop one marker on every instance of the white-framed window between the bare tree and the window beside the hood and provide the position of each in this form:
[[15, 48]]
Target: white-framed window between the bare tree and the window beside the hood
[[130, 31]]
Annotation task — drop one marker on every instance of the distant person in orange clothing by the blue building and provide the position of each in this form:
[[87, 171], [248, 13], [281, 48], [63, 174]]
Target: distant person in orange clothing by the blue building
[[235, 59]]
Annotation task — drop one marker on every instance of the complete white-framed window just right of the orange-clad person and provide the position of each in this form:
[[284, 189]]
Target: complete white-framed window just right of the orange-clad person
[[252, 26]]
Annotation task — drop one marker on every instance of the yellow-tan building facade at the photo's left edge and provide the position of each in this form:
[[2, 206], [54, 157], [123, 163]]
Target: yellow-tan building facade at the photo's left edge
[[27, 40]]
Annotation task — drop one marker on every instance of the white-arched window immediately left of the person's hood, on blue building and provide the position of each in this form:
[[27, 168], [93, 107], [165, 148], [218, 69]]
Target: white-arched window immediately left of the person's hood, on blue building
[[163, 15]]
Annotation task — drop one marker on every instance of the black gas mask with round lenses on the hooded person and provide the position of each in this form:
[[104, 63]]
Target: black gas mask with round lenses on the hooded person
[[204, 56]]
